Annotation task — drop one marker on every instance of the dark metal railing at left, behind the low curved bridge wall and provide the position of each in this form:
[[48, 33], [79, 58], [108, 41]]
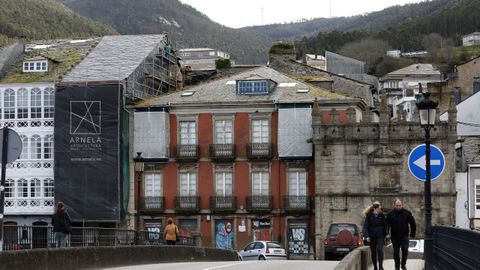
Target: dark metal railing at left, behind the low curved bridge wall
[[30, 237]]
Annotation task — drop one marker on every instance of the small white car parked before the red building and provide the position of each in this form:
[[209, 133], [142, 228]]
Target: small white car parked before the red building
[[263, 250]]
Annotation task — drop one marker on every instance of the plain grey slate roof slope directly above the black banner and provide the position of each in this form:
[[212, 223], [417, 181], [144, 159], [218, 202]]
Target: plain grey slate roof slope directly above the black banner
[[114, 58]]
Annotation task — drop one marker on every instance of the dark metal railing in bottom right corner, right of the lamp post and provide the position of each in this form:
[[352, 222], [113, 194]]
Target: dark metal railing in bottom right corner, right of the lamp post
[[455, 248]]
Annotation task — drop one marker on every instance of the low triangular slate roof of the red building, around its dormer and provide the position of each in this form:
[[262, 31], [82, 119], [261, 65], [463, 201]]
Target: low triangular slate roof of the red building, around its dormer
[[224, 91]]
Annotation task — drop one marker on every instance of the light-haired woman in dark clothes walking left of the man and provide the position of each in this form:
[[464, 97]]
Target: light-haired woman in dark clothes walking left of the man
[[375, 232]]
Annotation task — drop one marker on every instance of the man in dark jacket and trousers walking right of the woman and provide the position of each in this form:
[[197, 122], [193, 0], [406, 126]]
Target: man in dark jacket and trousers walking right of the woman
[[398, 221]]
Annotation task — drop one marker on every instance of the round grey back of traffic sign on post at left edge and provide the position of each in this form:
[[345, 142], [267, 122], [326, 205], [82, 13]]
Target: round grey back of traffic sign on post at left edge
[[10, 151]]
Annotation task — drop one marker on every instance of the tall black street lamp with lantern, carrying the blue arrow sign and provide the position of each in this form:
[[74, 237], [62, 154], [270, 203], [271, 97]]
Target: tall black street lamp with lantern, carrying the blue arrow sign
[[426, 108]]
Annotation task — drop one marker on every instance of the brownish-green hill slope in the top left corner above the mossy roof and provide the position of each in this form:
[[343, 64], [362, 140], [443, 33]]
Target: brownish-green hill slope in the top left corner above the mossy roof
[[46, 19]]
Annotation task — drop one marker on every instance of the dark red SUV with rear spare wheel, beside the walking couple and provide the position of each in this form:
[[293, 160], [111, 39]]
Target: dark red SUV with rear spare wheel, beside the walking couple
[[341, 239]]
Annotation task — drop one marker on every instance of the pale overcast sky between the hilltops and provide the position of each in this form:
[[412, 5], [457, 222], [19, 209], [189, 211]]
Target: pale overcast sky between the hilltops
[[240, 13]]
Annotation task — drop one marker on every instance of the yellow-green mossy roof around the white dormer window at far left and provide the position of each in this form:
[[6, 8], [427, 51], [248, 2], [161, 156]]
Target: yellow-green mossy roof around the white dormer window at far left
[[63, 59]]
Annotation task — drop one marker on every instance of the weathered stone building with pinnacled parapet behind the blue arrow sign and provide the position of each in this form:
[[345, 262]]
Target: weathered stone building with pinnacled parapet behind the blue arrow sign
[[360, 162]]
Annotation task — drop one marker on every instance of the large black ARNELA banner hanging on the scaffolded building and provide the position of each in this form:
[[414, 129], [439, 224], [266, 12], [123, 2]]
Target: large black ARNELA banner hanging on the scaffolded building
[[87, 168]]
